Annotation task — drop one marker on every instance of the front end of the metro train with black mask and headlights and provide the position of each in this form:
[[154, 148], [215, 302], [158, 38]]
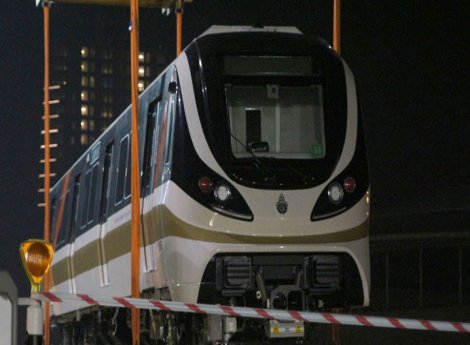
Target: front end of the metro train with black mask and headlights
[[269, 205]]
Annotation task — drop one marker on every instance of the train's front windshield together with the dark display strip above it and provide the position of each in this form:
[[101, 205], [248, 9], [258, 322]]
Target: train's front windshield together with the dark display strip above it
[[269, 115]]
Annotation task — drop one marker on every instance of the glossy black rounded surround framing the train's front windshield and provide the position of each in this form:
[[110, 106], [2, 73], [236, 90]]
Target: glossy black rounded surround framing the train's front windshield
[[222, 65]]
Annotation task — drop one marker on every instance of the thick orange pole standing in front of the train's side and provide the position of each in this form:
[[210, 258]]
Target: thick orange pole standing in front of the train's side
[[135, 187]]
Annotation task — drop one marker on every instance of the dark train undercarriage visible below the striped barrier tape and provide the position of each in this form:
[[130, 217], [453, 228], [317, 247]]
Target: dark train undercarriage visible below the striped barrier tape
[[112, 326]]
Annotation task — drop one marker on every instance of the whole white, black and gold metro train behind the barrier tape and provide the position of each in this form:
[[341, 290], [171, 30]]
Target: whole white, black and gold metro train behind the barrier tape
[[255, 192]]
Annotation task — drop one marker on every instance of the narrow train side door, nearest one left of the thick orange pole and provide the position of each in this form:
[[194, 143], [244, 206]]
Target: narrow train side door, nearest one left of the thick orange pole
[[103, 210]]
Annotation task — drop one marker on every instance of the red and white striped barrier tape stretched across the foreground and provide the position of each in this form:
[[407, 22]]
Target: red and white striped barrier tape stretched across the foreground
[[283, 315]]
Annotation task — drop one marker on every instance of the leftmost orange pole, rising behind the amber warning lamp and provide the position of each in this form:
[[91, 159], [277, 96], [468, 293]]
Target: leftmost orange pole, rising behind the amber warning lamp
[[47, 169]]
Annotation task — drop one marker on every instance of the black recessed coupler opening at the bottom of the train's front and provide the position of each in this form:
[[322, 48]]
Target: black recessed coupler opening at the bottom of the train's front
[[300, 281]]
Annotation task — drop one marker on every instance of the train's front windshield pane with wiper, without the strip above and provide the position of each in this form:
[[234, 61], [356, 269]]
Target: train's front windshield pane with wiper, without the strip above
[[276, 121]]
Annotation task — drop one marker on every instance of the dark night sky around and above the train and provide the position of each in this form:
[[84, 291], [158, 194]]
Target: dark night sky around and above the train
[[411, 62]]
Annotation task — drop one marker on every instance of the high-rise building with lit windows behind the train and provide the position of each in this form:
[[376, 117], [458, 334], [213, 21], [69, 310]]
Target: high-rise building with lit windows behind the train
[[90, 87]]
